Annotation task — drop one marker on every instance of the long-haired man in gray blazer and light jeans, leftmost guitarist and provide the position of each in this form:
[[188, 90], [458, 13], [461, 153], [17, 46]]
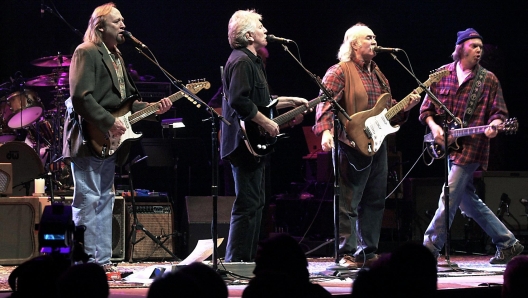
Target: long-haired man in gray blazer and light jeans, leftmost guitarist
[[99, 83]]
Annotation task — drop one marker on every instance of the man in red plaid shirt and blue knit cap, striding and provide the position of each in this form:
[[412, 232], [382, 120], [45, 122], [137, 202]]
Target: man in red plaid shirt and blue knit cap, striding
[[454, 92]]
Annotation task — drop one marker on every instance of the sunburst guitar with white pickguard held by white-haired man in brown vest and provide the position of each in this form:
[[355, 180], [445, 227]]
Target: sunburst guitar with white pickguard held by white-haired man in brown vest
[[367, 129]]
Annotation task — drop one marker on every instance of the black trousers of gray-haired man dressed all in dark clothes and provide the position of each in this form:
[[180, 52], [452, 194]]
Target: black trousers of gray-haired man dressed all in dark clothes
[[246, 214]]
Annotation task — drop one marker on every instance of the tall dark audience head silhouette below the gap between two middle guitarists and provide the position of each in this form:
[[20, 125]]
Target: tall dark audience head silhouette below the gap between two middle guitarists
[[281, 270]]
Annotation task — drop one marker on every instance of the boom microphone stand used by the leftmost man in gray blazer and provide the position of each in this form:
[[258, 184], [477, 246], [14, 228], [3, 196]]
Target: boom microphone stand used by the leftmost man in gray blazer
[[214, 139]]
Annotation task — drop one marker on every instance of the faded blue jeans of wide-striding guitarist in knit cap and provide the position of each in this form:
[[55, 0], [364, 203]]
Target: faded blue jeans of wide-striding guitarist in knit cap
[[462, 195]]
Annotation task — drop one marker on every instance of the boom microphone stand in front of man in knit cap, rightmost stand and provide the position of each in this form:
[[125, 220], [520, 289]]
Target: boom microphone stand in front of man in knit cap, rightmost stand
[[446, 164]]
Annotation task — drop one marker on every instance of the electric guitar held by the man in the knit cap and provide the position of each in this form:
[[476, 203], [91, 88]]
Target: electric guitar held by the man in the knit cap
[[437, 151]]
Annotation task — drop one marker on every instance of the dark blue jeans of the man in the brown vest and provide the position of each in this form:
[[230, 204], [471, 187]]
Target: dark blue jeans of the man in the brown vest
[[363, 188]]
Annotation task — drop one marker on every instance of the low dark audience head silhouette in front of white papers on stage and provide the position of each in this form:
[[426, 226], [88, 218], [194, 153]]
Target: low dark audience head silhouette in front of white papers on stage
[[194, 280]]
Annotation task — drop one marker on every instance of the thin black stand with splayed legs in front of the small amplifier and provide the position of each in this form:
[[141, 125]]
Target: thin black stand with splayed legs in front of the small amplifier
[[136, 225]]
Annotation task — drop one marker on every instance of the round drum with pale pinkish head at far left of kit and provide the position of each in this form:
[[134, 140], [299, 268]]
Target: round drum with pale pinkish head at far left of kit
[[25, 107]]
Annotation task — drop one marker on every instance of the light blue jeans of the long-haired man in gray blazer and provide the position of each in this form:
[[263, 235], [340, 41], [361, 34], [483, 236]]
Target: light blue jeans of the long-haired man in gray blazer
[[93, 201]]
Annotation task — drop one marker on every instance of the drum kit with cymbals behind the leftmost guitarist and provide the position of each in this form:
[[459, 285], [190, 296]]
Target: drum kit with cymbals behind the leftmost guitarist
[[24, 115]]
